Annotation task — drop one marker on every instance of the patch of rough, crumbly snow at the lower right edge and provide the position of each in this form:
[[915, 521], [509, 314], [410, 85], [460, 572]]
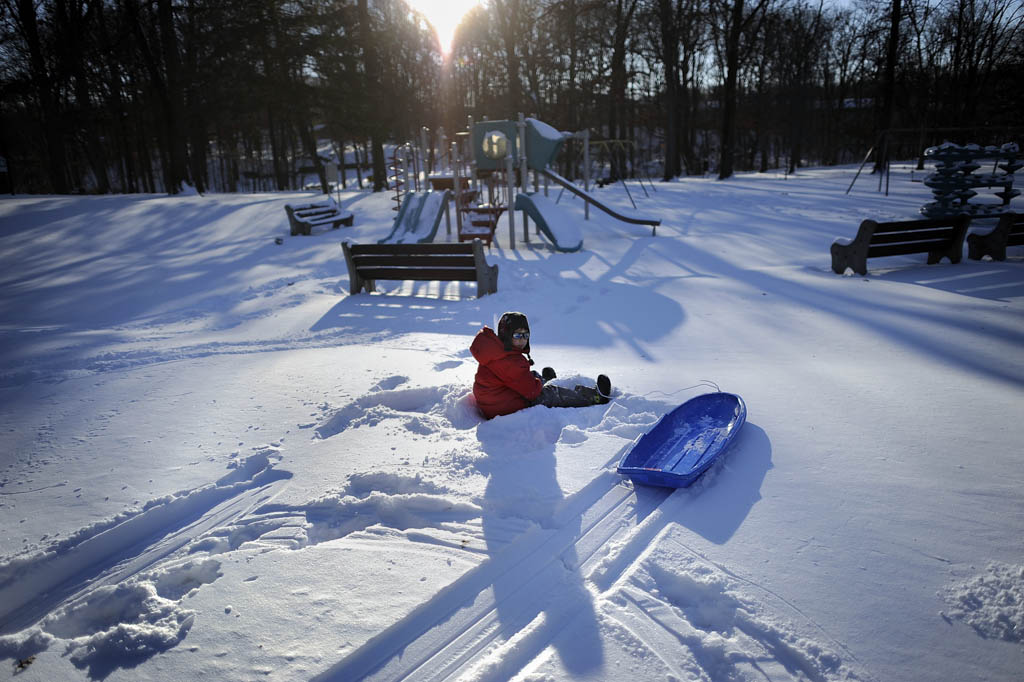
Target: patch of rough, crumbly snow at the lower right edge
[[993, 604]]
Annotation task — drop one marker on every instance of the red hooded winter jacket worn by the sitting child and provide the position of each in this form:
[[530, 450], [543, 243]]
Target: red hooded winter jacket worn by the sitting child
[[504, 383]]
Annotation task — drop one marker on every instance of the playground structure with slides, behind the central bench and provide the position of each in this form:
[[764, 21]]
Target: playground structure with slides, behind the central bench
[[490, 179]]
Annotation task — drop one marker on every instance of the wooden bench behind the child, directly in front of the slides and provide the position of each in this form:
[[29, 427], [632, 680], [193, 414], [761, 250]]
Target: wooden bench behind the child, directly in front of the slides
[[422, 263]]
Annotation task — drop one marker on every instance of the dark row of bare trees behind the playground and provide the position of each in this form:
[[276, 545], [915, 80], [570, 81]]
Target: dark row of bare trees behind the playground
[[148, 96]]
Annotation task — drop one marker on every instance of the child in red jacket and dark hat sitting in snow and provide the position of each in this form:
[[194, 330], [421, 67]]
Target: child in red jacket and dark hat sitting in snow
[[504, 381]]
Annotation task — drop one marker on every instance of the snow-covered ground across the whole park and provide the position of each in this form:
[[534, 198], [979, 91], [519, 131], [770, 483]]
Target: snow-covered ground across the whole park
[[216, 462]]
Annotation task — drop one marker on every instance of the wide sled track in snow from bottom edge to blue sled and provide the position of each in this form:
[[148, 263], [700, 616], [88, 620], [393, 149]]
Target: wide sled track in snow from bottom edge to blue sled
[[503, 599]]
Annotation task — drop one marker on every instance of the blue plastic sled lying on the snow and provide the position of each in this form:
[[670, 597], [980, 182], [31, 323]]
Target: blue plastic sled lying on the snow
[[686, 442]]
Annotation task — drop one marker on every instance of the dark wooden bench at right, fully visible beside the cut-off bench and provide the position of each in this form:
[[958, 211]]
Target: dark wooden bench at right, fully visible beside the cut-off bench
[[942, 238]]
